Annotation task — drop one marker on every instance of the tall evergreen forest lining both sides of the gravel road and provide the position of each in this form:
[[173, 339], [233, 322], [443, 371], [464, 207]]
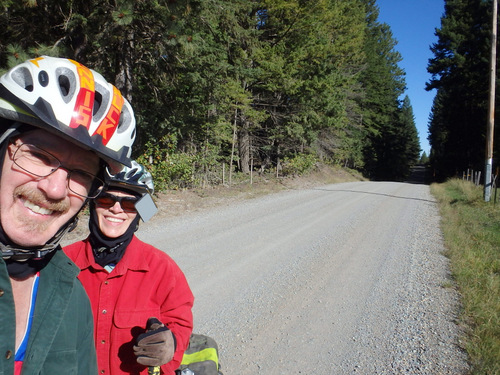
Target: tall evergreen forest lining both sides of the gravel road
[[268, 85]]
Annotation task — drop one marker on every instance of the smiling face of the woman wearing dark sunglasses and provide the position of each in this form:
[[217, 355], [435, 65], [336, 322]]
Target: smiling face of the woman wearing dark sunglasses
[[115, 217]]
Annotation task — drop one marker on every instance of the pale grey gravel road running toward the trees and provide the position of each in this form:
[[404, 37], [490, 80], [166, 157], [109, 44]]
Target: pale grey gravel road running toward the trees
[[342, 279]]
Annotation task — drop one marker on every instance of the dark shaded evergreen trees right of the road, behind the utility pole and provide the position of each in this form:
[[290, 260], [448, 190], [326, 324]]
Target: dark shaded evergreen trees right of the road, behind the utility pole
[[460, 74]]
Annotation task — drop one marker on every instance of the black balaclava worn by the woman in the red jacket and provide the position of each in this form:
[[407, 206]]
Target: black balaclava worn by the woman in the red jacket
[[109, 250]]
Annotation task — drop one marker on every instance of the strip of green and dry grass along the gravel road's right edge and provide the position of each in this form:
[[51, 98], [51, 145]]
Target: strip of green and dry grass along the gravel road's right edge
[[471, 229]]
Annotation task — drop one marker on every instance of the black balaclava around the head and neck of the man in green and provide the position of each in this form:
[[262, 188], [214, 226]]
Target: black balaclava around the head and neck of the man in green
[[21, 269]]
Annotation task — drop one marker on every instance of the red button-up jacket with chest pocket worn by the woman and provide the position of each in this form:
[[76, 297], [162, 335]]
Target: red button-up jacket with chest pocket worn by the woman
[[145, 283]]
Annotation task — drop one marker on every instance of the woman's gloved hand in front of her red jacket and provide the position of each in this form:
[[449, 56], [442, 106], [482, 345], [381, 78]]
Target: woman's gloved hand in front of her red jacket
[[156, 346]]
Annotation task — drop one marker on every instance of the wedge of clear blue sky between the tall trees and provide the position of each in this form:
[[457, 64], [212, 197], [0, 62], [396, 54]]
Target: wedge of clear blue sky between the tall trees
[[413, 23]]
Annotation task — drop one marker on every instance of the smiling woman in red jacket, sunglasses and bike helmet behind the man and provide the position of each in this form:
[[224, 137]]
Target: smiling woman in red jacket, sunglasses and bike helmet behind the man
[[140, 298]]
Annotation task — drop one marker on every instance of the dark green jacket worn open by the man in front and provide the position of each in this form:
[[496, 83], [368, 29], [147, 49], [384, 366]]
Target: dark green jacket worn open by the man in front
[[61, 339]]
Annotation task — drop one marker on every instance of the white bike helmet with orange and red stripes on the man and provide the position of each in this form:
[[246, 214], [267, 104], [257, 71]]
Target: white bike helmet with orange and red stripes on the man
[[72, 101]]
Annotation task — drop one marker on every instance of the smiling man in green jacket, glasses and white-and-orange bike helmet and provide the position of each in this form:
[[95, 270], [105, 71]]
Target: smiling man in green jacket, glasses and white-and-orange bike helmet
[[61, 125]]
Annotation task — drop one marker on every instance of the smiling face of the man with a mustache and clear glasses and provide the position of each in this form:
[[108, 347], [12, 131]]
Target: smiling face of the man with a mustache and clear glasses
[[32, 209]]
